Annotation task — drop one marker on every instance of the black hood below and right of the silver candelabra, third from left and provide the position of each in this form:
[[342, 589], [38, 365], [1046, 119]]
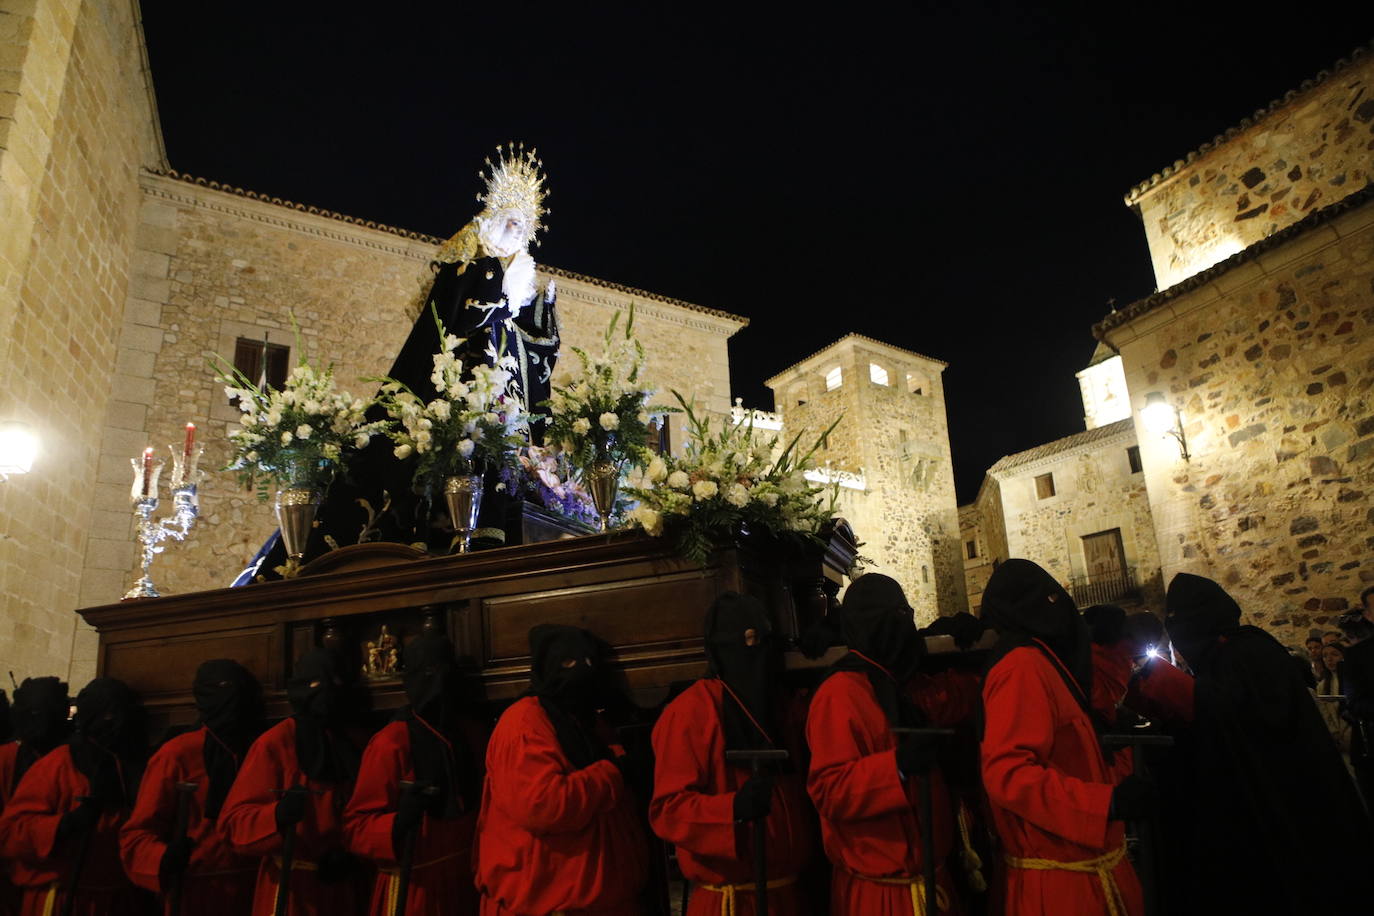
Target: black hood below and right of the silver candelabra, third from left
[[230, 702]]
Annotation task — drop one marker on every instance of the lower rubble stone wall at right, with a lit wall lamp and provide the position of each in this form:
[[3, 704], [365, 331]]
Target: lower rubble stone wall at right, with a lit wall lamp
[[1272, 363]]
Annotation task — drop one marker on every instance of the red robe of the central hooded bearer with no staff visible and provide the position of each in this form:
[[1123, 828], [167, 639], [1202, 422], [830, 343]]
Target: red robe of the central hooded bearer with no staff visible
[[550, 837]]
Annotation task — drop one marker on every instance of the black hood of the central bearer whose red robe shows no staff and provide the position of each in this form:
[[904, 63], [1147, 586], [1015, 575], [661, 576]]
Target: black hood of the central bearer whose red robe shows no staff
[[565, 676]]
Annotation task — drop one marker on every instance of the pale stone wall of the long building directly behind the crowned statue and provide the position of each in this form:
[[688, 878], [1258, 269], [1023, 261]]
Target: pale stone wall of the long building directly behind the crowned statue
[[216, 266]]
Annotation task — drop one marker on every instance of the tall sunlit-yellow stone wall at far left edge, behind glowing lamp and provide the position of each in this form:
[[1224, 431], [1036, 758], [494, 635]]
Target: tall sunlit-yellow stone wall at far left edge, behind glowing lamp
[[76, 124]]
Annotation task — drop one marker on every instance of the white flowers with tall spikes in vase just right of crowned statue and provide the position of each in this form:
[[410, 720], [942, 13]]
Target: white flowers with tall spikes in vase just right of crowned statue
[[604, 413]]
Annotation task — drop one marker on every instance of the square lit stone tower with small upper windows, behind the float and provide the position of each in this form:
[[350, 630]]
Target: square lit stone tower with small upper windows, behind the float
[[891, 454]]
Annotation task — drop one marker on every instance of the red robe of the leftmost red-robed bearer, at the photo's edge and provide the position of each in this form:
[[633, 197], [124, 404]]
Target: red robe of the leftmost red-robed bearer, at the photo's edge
[[39, 867]]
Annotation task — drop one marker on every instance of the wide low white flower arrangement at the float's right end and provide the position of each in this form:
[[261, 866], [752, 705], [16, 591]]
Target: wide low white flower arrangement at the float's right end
[[730, 483]]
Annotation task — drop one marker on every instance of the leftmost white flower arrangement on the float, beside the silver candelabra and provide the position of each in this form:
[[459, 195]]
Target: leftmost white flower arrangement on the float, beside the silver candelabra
[[297, 436]]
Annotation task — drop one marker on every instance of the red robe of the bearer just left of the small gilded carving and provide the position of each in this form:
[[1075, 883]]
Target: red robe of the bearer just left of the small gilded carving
[[249, 821]]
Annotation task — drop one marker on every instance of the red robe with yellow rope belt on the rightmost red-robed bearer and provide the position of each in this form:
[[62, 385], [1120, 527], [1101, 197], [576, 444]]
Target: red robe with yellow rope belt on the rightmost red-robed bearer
[[1049, 790]]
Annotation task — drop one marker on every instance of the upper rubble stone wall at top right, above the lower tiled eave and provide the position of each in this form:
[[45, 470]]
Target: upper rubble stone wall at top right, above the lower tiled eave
[[1309, 152]]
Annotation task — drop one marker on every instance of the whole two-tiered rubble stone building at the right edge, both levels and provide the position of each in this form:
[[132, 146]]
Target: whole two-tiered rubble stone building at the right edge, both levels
[[1269, 359]]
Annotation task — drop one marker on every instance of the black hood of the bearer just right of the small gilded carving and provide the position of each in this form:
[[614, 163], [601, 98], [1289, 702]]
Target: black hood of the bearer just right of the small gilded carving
[[439, 746]]
